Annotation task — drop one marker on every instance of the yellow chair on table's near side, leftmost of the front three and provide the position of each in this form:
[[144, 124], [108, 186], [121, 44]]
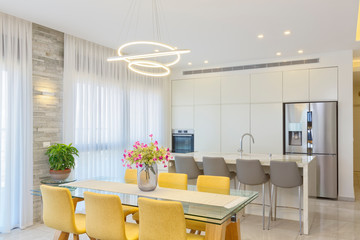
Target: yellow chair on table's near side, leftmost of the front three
[[59, 212]]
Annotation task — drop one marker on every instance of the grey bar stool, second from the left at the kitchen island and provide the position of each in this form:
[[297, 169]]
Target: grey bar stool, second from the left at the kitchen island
[[216, 166]]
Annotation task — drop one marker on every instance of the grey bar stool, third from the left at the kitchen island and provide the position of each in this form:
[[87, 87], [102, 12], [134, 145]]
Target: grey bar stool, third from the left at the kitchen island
[[250, 172]]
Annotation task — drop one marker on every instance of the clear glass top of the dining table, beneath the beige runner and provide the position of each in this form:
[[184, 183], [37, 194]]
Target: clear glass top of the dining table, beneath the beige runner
[[193, 211]]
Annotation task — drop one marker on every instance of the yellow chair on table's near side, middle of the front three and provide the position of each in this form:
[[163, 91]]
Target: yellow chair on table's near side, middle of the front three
[[105, 218]]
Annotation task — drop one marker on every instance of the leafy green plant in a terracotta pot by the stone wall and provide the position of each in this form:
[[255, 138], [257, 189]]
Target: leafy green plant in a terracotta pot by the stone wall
[[61, 160]]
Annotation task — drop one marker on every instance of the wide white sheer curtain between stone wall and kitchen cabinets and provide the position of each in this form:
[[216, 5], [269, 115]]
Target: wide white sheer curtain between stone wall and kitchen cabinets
[[107, 109]]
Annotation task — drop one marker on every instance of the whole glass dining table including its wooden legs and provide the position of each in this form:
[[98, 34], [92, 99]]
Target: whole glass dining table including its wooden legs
[[220, 221]]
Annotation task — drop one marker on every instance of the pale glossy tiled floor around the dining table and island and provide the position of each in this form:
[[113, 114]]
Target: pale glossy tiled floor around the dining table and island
[[333, 220]]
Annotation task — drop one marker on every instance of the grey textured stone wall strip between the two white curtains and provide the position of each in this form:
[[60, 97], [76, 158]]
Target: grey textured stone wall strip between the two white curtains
[[48, 66]]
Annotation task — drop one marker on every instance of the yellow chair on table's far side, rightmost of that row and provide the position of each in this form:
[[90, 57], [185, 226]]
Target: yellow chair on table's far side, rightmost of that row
[[210, 184]]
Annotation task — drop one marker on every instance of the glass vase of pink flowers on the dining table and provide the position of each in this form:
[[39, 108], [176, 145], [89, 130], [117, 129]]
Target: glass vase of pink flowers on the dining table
[[145, 158]]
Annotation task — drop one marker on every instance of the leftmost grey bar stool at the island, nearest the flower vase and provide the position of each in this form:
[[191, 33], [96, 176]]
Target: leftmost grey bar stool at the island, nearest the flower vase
[[187, 165]]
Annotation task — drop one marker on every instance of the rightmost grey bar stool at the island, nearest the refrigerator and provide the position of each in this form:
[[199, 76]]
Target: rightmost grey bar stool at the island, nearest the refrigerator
[[285, 175]]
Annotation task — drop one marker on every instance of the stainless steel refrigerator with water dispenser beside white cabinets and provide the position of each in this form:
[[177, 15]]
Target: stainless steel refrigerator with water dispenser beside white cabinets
[[311, 128]]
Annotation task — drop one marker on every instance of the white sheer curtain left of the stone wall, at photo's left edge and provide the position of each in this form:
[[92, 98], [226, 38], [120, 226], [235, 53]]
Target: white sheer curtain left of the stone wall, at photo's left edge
[[16, 157]]
